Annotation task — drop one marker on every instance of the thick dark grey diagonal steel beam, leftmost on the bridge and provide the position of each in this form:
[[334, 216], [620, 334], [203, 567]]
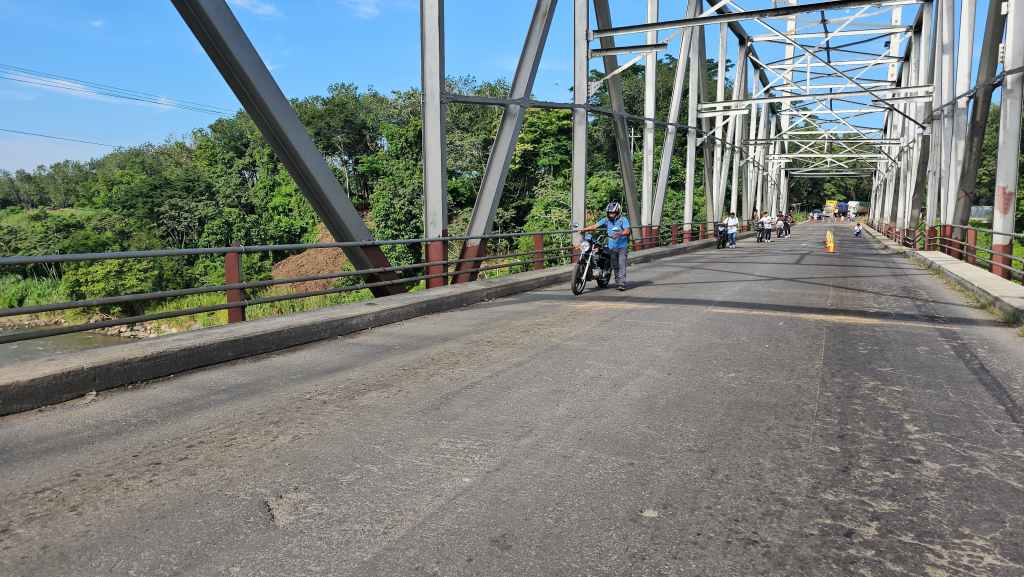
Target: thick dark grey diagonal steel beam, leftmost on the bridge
[[235, 57]]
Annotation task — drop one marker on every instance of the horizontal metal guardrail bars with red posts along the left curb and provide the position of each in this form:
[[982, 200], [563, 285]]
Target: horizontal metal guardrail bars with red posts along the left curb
[[235, 287]]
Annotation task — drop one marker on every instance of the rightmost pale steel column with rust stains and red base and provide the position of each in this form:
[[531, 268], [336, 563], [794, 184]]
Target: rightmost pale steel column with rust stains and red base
[[1007, 176]]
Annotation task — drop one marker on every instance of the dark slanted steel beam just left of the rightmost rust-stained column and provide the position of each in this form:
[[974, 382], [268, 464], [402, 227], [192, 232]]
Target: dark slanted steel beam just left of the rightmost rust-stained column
[[988, 64]]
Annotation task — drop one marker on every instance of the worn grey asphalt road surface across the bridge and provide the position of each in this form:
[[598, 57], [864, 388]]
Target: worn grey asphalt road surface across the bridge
[[769, 410]]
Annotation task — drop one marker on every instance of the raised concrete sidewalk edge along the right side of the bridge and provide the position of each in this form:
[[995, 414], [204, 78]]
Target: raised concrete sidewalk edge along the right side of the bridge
[[992, 291]]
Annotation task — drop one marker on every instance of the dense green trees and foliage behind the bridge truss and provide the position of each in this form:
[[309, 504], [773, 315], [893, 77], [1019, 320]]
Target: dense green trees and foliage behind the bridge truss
[[224, 185]]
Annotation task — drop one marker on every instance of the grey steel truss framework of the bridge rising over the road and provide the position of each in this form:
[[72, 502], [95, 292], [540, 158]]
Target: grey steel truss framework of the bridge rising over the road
[[860, 90]]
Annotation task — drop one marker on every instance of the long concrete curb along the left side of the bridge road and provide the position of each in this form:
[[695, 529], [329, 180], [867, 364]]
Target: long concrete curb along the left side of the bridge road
[[36, 384]]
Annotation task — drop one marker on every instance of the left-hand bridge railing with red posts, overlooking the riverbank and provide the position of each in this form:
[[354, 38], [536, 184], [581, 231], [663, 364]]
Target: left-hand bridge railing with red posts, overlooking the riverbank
[[502, 255]]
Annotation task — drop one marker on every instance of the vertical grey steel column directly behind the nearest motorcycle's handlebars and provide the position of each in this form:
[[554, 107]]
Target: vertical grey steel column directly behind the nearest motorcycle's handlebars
[[581, 89]]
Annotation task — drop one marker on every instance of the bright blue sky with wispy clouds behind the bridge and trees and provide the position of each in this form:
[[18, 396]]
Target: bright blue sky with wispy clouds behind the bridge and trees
[[309, 45]]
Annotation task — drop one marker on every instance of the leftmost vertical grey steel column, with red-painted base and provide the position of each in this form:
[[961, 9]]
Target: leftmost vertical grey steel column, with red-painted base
[[435, 140]]
